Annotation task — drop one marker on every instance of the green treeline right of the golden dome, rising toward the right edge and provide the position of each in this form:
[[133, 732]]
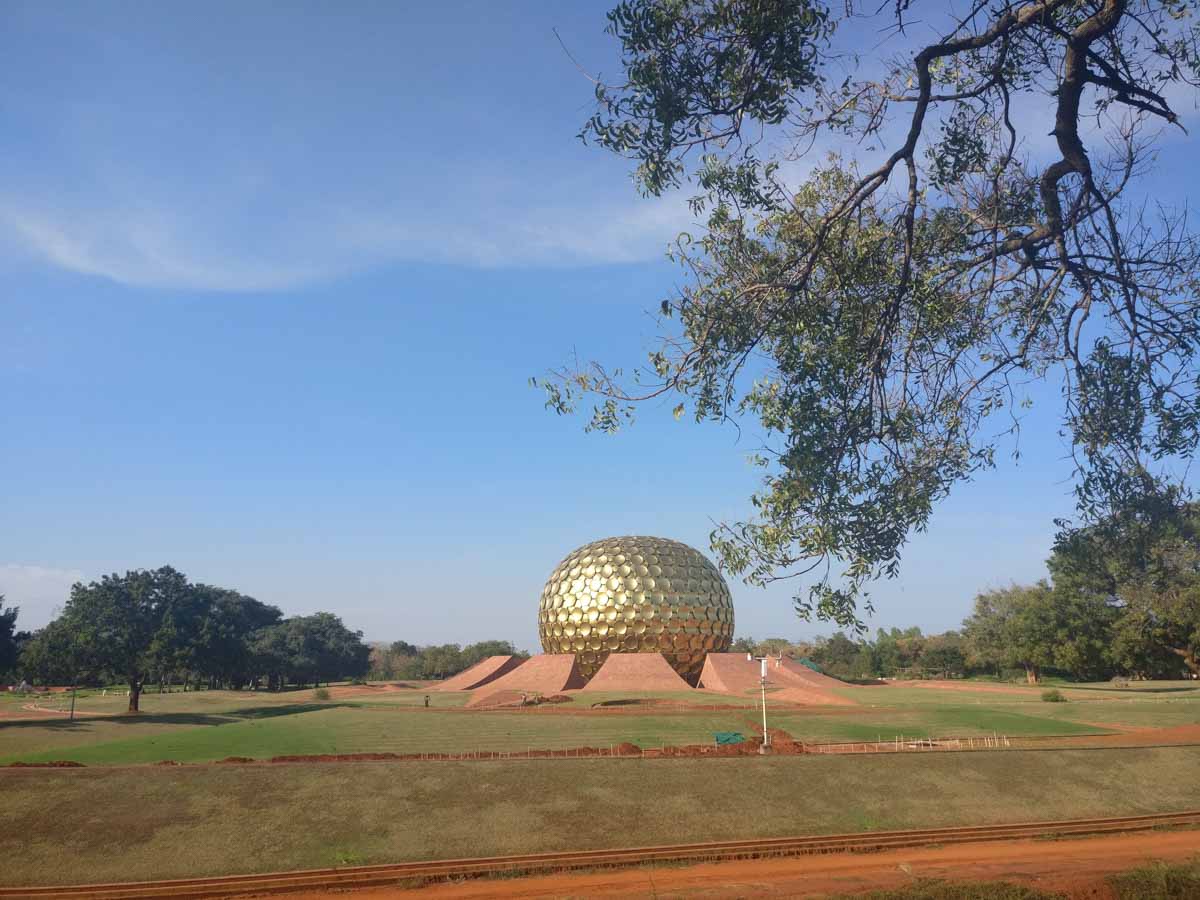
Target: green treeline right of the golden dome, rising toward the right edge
[[1124, 601]]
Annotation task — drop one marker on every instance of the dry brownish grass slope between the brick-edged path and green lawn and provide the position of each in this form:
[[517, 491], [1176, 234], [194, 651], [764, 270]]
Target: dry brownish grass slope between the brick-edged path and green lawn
[[134, 824]]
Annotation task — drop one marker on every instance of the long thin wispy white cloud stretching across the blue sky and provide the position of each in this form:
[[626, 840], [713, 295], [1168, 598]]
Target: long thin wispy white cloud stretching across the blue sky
[[155, 249]]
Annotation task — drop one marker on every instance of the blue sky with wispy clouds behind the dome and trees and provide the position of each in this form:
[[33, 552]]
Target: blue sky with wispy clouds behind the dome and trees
[[272, 290]]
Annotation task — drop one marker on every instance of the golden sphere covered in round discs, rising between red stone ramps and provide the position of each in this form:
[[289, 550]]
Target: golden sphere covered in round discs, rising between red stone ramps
[[637, 595]]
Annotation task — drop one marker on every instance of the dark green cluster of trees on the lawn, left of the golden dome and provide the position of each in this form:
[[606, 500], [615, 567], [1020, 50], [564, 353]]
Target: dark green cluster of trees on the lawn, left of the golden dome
[[147, 628]]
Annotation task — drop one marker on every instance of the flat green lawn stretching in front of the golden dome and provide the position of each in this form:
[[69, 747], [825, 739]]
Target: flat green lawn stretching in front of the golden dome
[[213, 725]]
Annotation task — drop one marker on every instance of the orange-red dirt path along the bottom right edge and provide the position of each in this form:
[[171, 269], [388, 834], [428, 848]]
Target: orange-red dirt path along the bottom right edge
[[1076, 867]]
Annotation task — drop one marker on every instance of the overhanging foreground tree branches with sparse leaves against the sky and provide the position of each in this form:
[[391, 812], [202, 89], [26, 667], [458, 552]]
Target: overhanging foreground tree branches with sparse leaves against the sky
[[877, 317]]
